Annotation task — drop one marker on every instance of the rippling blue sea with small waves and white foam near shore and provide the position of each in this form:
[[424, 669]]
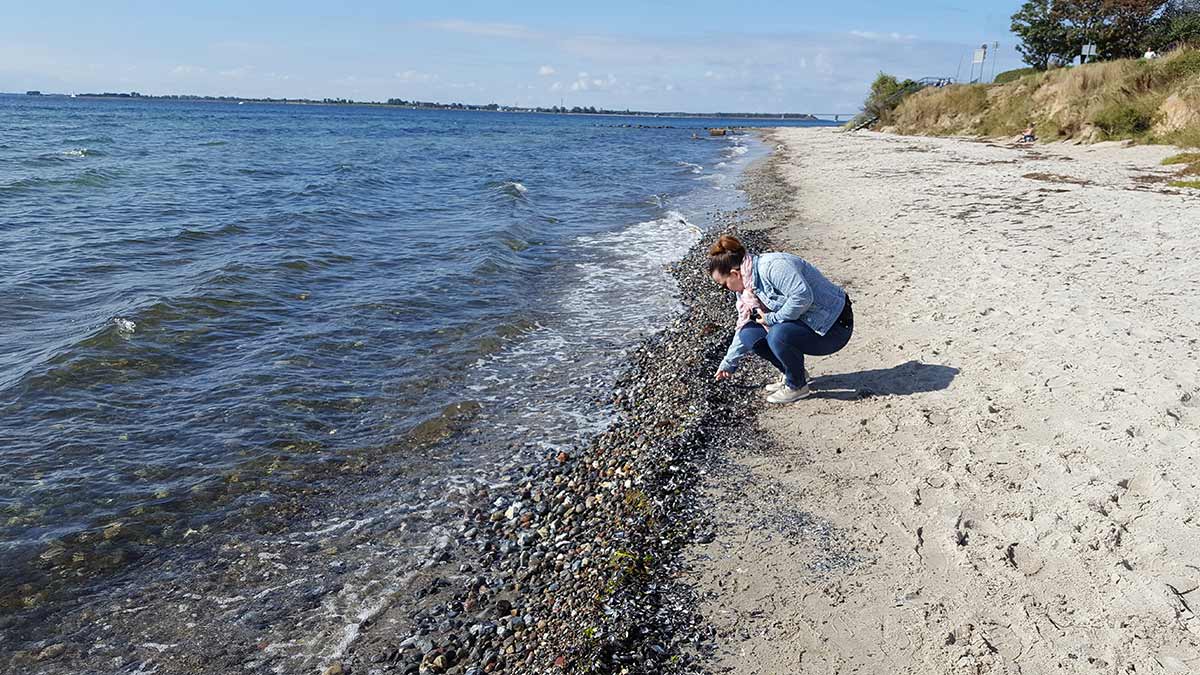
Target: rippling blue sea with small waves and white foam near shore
[[201, 297]]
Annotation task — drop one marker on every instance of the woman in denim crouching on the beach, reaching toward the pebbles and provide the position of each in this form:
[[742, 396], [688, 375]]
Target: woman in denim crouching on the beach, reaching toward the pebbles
[[787, 309]]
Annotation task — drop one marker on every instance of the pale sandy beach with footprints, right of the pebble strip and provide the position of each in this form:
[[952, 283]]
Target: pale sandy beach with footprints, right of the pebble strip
[[999, 474]]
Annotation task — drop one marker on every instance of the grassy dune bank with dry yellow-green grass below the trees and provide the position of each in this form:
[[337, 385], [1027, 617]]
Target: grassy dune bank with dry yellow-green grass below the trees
[[1154, 101]]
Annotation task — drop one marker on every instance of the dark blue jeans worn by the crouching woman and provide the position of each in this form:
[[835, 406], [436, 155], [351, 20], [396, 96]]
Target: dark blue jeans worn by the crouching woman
[[787, 344]]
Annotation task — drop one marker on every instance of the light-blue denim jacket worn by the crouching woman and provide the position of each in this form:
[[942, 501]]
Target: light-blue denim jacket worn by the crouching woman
[[793, 289]]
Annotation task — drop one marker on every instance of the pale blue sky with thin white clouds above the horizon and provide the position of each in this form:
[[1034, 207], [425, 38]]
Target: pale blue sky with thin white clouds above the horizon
[[663, 56]]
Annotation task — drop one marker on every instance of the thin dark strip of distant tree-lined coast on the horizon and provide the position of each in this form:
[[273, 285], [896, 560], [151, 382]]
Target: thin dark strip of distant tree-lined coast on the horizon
[[431, 106]]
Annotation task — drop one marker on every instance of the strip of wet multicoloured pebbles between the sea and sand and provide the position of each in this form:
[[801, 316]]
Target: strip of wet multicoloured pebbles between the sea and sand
[[573, 564]]
